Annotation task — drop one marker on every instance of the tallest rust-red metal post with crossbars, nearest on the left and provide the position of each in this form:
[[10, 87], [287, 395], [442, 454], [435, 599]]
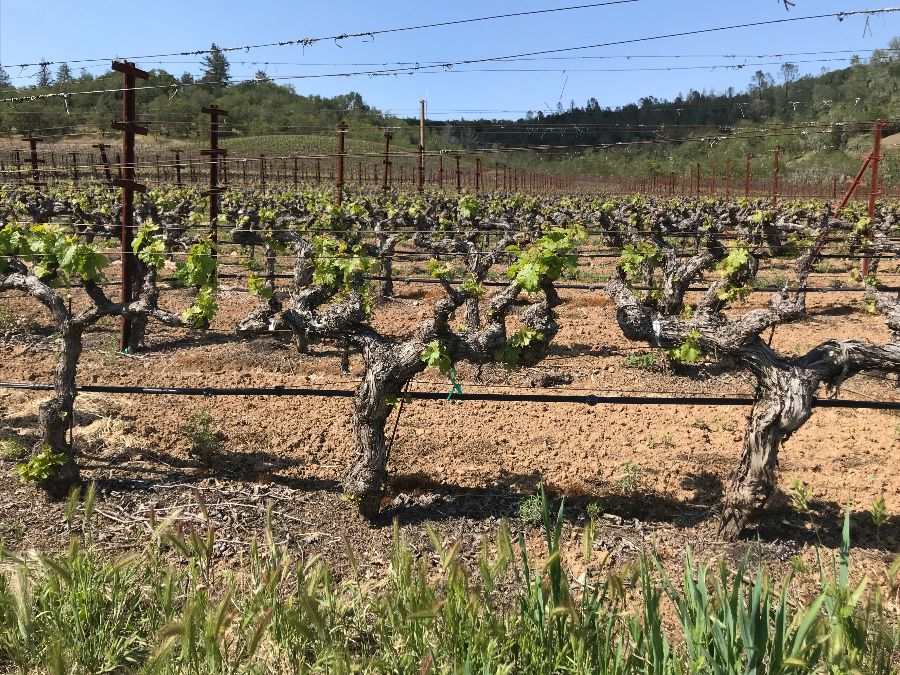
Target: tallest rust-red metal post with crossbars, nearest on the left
[[129, 127]]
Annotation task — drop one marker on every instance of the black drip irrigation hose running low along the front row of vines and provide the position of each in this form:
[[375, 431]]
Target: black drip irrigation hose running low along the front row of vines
[[589, 399]]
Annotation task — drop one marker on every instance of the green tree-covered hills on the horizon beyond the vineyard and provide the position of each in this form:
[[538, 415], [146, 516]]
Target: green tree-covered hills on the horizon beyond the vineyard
[[822, 122]]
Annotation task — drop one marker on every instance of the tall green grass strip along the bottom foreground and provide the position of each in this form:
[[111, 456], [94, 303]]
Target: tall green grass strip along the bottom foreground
[[169, 609]]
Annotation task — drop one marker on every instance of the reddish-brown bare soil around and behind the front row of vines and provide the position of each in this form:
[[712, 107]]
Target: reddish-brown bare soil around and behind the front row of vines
[[657, 473]]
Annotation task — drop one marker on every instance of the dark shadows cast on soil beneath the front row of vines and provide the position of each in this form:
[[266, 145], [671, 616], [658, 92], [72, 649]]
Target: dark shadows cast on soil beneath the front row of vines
[[415, 499]]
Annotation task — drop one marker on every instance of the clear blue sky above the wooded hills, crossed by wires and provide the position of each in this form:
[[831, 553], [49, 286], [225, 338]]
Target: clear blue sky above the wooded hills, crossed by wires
[[68, 30]]
